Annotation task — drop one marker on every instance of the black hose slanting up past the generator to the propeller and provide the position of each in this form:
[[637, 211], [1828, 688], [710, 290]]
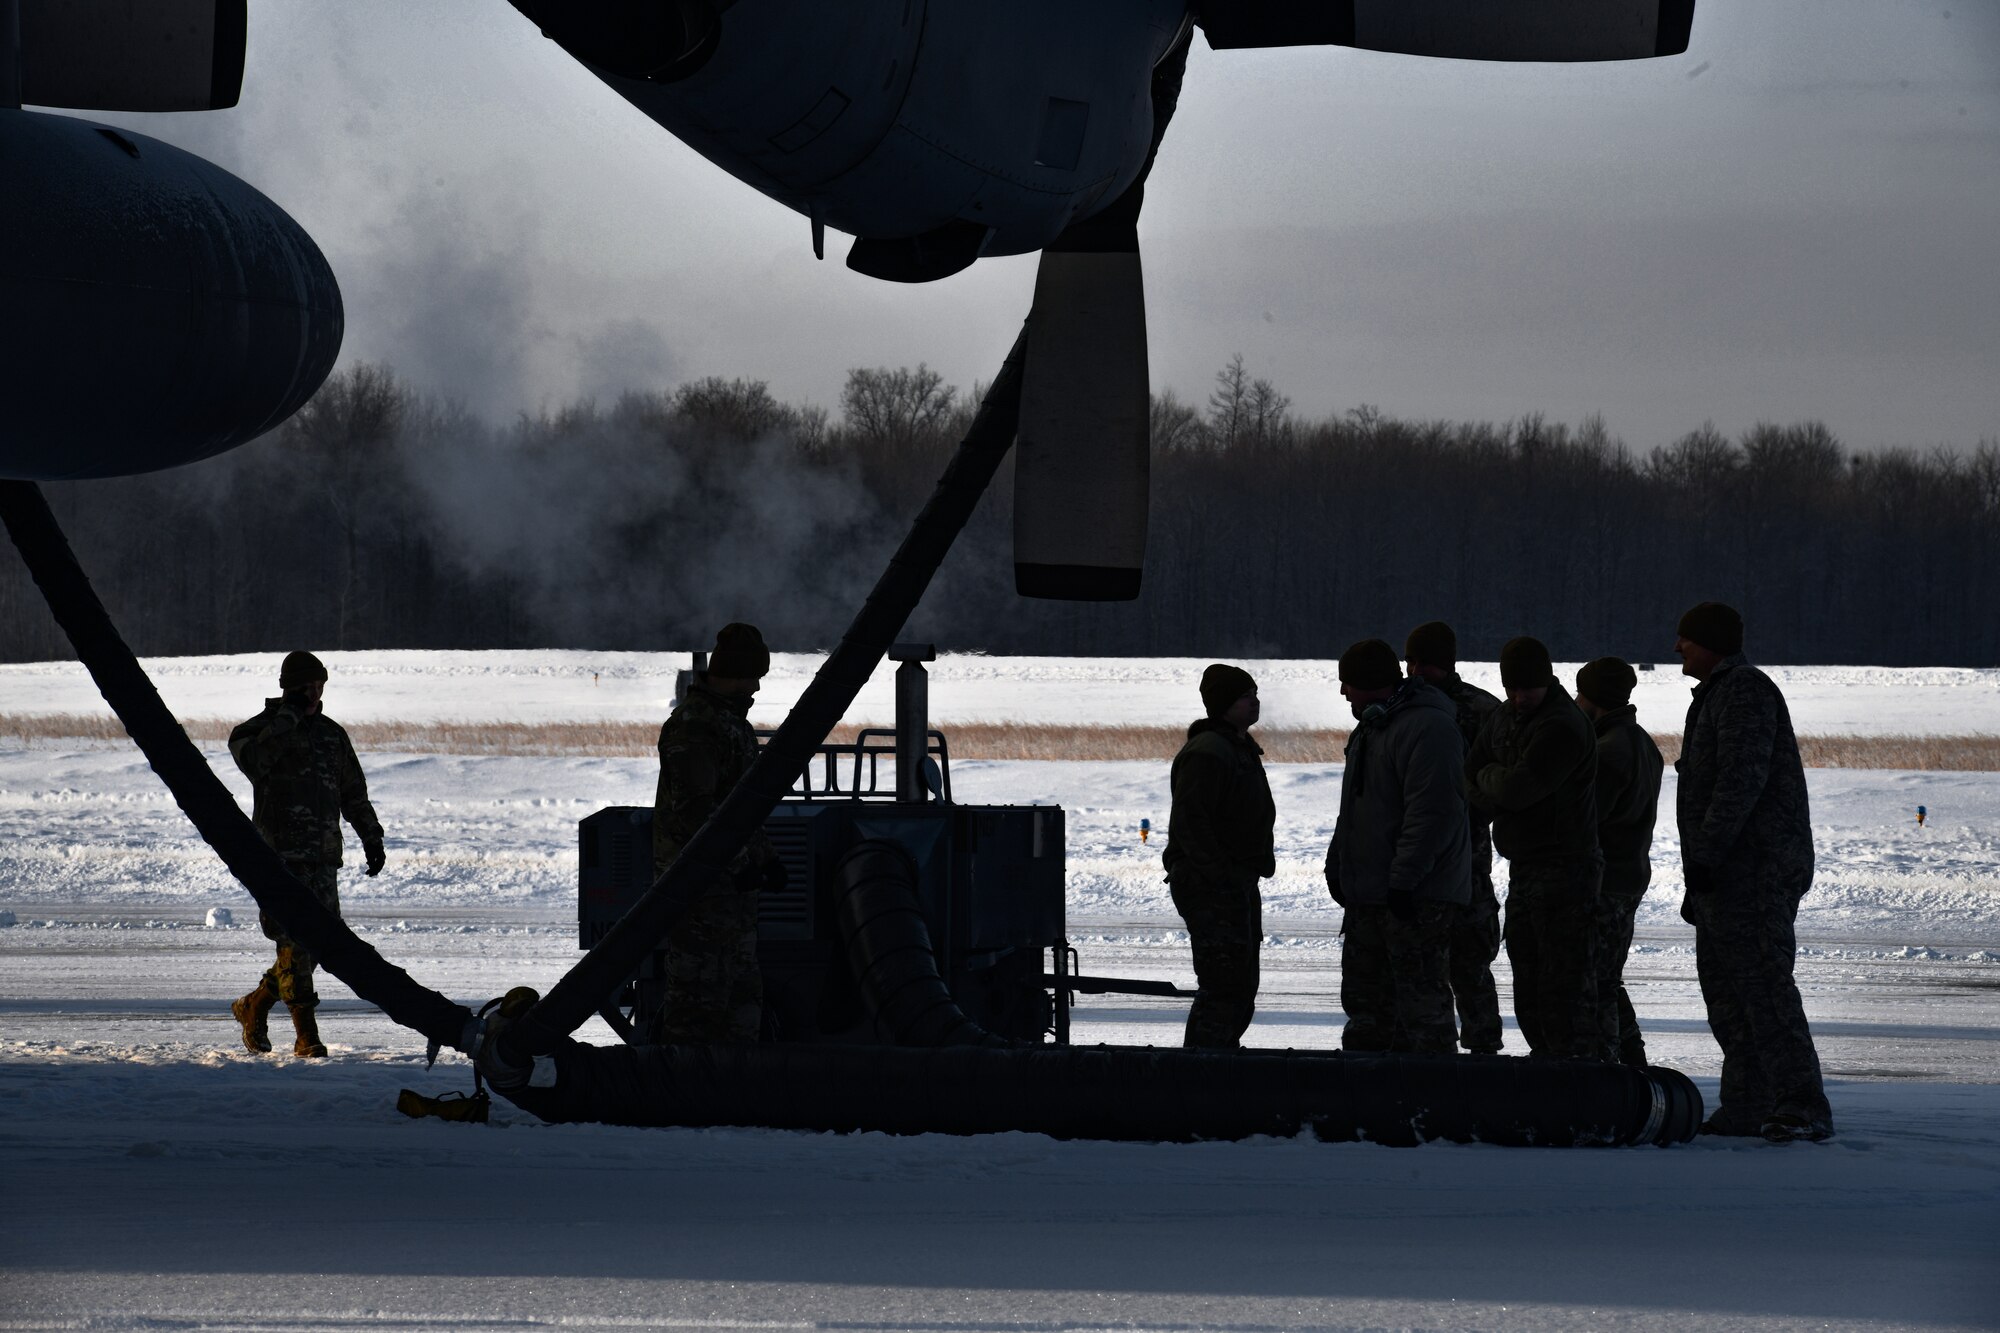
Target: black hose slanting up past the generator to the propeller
[[827, 700]]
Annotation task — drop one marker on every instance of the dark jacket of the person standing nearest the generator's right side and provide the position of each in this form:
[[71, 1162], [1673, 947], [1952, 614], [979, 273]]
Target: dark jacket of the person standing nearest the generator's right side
[[1223, 818]]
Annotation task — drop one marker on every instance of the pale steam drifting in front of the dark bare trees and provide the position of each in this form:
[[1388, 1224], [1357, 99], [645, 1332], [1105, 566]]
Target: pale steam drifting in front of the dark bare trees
[[631, 527]]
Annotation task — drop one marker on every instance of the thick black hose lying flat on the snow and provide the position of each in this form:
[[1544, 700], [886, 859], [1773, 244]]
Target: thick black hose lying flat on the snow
[[1139, 1094]]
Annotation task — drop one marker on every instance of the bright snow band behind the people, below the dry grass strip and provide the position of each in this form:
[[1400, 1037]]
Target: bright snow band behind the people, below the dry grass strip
[[93, 828]]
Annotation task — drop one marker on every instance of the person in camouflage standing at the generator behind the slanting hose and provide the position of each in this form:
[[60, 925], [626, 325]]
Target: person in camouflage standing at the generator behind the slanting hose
[[715, 990]]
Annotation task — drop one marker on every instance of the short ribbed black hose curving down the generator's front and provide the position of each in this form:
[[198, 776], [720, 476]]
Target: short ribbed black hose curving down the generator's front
[[889, 950]]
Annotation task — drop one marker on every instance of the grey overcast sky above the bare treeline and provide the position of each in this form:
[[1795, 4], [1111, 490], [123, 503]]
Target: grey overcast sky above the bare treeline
[[1799, 219]]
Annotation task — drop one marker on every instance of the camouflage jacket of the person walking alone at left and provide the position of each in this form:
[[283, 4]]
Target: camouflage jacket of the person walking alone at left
[[307, 778]]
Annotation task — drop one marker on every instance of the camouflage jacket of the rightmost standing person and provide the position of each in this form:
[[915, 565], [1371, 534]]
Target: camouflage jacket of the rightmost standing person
[[1743, 786]]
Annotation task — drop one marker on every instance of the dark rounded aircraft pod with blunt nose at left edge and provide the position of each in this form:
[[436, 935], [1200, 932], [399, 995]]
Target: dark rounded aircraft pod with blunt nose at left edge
[[153, 307]]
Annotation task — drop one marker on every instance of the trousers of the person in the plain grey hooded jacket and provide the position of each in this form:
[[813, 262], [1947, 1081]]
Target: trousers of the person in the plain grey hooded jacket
[[1395, 980]]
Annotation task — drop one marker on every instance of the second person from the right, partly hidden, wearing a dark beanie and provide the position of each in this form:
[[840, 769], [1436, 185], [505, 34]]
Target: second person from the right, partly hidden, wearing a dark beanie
[[1629, 804]]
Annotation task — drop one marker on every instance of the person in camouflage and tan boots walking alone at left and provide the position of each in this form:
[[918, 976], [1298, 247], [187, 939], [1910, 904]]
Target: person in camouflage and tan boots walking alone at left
[[307, 778]]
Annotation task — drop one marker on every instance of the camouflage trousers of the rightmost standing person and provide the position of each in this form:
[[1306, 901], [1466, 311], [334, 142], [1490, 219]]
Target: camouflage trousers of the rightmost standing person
[[1745, 948]]
